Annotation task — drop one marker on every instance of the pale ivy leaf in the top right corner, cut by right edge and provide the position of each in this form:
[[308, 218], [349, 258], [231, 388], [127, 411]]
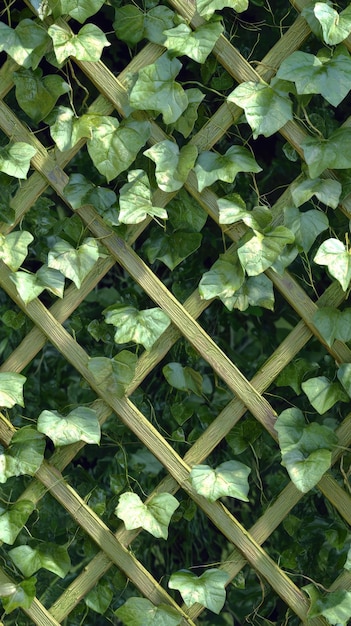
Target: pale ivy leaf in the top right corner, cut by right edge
[[335, 26]]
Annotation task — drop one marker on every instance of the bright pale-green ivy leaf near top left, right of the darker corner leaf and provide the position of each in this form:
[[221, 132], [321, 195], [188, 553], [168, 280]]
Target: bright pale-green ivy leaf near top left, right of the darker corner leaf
[[87, 45]]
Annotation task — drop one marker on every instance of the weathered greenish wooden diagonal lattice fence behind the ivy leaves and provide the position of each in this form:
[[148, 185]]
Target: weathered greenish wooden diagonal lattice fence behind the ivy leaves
[[49, 171]]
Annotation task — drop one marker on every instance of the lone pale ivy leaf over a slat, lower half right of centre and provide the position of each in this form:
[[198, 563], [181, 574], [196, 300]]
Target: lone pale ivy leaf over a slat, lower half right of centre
[[228, 479]]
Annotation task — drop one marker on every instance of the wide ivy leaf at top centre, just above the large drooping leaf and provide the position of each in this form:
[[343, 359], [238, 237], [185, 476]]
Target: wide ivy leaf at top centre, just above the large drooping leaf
[[196, 44]]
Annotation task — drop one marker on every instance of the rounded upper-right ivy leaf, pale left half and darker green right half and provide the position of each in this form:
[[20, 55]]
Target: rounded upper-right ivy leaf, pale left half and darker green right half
[[267, 107]]
